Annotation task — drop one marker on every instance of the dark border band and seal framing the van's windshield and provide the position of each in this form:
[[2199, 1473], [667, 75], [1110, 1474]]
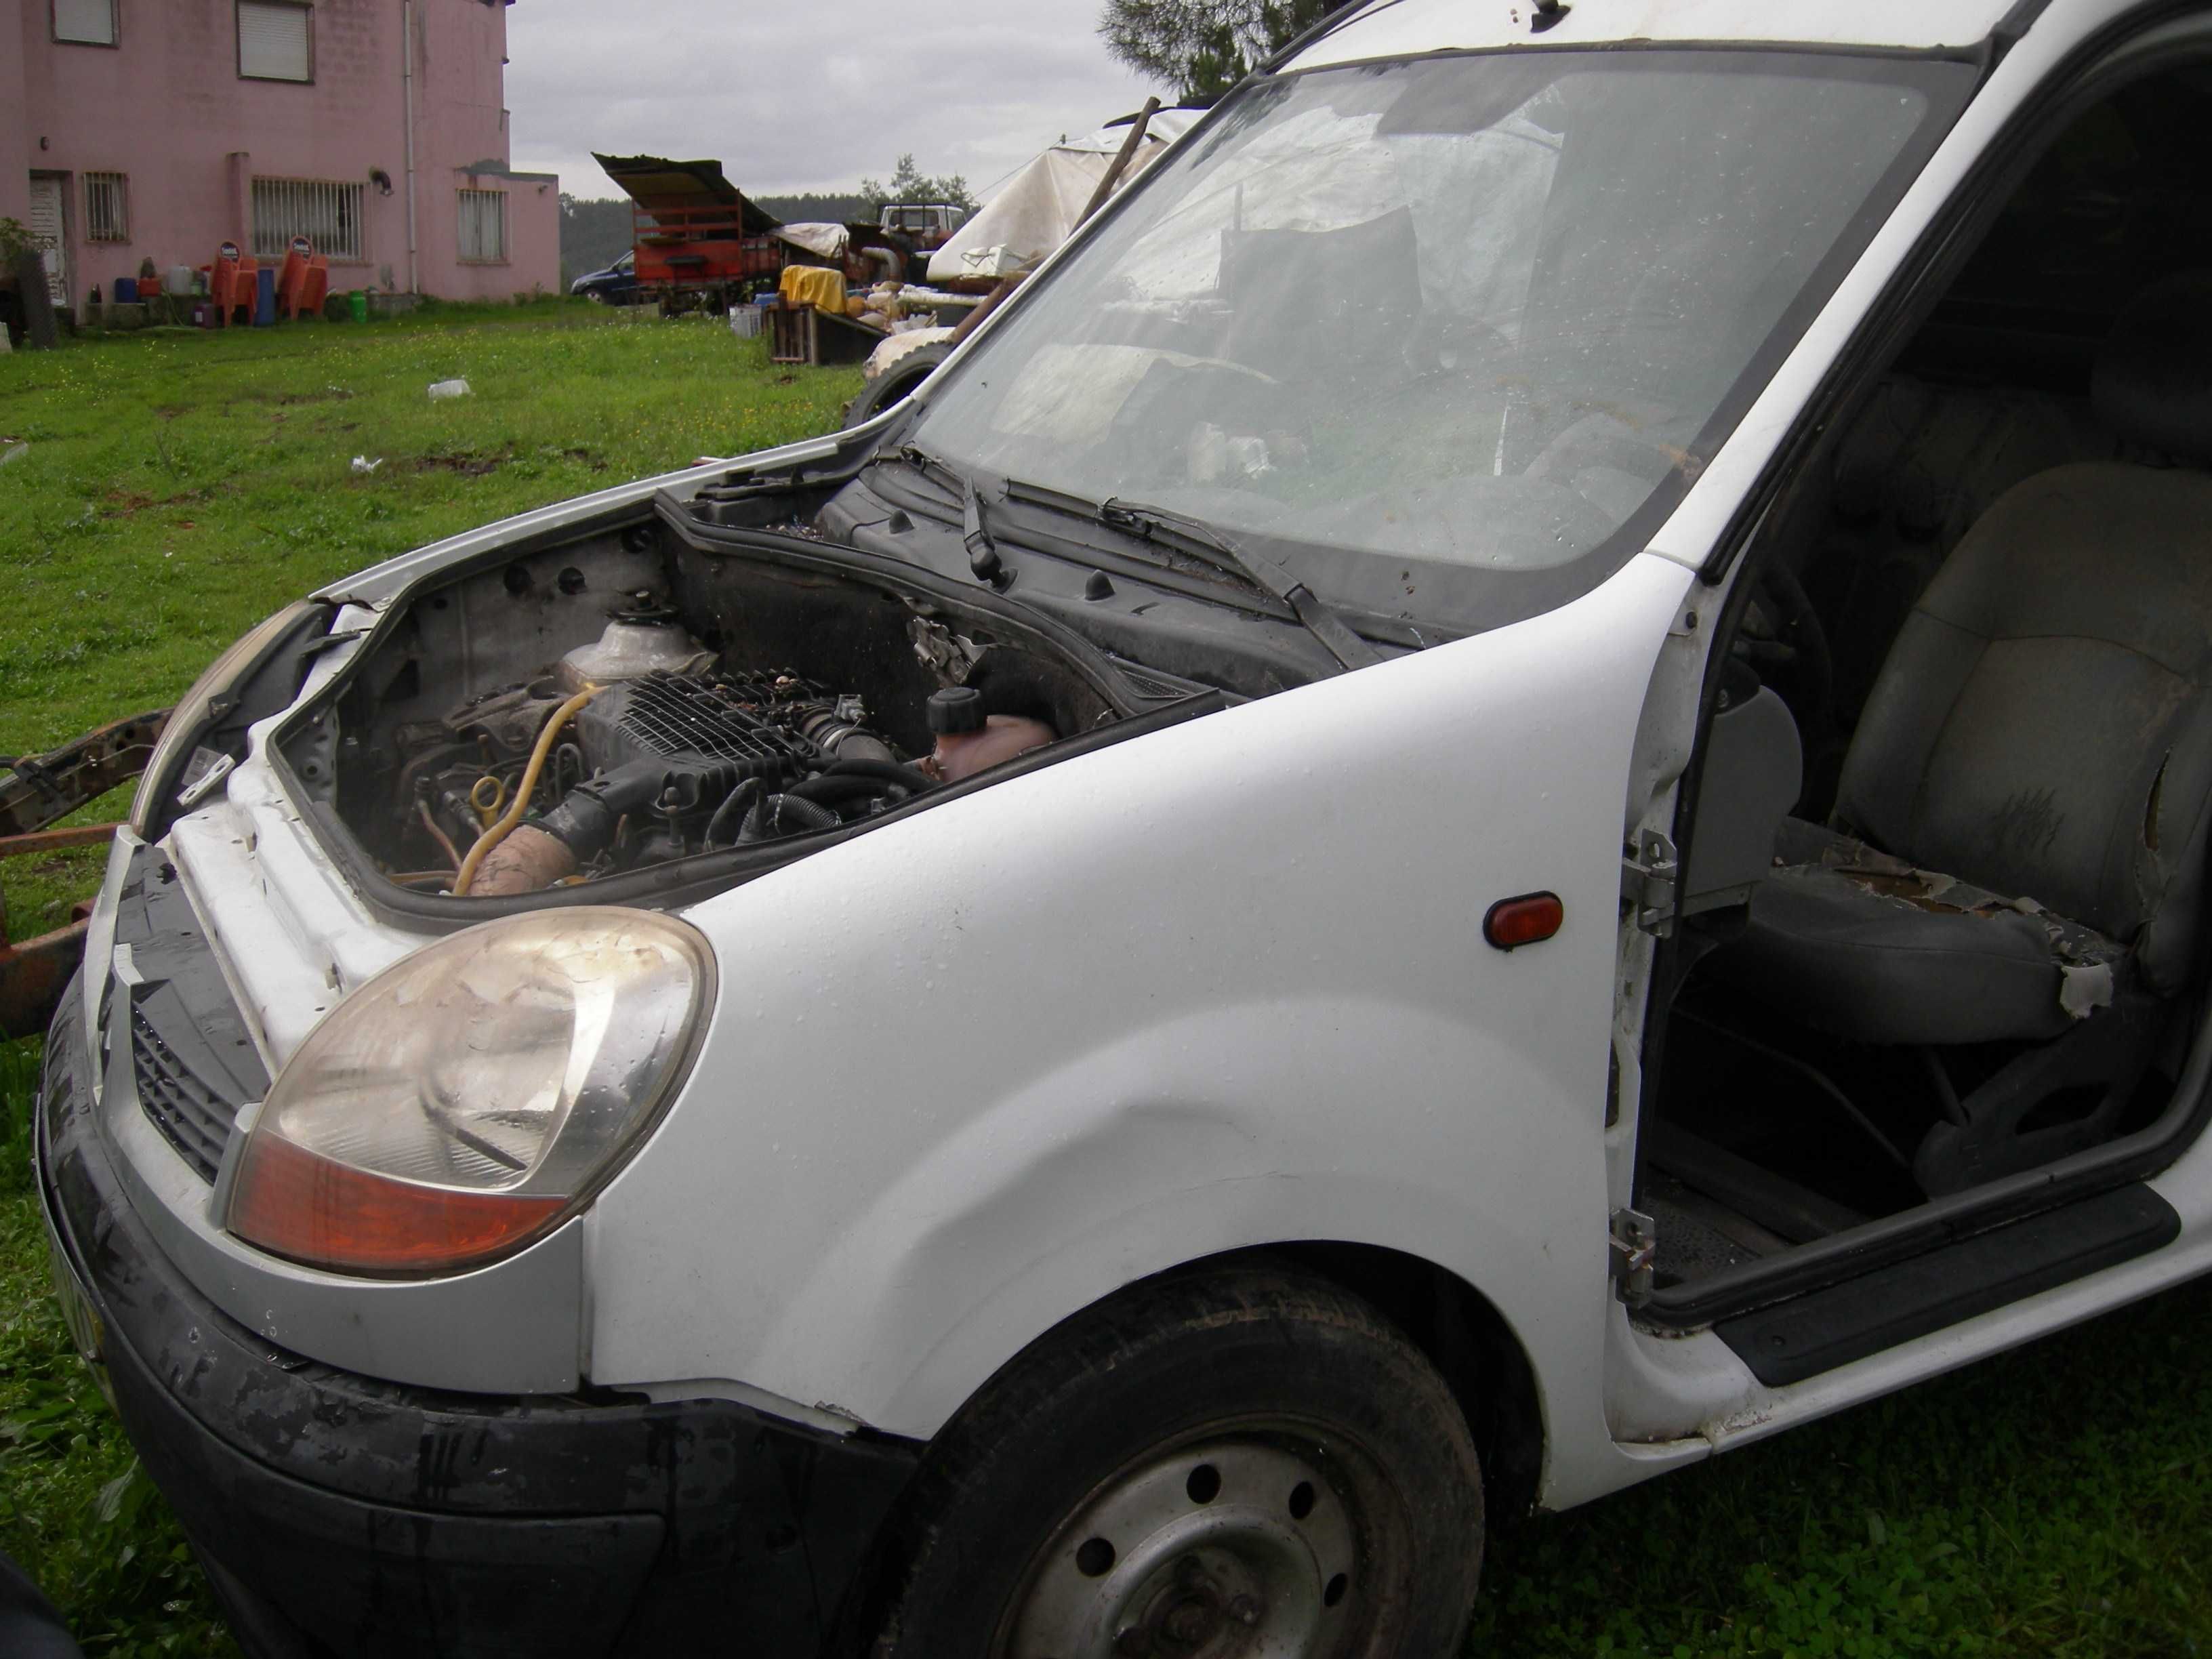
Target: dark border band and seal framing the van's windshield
[[1459, 598]]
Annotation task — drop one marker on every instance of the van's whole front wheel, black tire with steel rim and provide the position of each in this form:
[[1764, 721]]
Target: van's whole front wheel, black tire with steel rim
[[1182, 1406]]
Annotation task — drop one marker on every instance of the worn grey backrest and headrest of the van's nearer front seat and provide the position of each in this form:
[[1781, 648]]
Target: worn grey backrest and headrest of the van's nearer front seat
[[2043, 724]]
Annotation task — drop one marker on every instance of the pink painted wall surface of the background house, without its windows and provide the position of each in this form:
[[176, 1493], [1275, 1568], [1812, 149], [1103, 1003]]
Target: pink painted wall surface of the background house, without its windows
[[167, 107]]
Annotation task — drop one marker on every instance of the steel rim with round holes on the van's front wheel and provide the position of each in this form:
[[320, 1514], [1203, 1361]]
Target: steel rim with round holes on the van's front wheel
[[1231, 1545]]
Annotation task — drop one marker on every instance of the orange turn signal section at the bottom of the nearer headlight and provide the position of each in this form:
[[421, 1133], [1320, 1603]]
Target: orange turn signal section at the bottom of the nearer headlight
[[311, 1209]]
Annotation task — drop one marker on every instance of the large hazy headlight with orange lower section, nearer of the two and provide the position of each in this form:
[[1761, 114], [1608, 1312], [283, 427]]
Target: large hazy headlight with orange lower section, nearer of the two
[[477, 1096]]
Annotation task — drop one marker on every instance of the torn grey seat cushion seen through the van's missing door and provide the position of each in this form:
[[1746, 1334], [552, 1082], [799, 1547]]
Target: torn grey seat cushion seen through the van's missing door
[[1872, 948]]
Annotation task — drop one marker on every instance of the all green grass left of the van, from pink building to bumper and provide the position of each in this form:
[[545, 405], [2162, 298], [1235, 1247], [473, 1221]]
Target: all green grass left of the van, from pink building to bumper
[[178, 488]]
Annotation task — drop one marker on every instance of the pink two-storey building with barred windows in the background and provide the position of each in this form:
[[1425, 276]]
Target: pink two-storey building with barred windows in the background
[[160, 129]]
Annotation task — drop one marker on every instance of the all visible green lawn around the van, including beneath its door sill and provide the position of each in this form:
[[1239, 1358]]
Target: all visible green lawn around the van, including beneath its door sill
[[2049, 1503]]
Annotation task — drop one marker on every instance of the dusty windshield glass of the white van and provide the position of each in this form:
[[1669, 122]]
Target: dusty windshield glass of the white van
[[1448, 326]]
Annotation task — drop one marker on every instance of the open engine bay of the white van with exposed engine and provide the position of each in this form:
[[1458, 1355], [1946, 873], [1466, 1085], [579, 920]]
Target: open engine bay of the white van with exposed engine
[[656, 693]]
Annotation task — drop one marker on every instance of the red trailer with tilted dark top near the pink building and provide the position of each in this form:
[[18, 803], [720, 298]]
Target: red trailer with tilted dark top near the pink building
[[700, 242]]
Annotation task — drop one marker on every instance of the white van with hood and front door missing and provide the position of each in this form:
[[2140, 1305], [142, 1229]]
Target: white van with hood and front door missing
[[1507, 789]]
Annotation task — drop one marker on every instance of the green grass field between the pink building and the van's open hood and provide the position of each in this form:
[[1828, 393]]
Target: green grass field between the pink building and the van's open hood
[[182, 486]]
